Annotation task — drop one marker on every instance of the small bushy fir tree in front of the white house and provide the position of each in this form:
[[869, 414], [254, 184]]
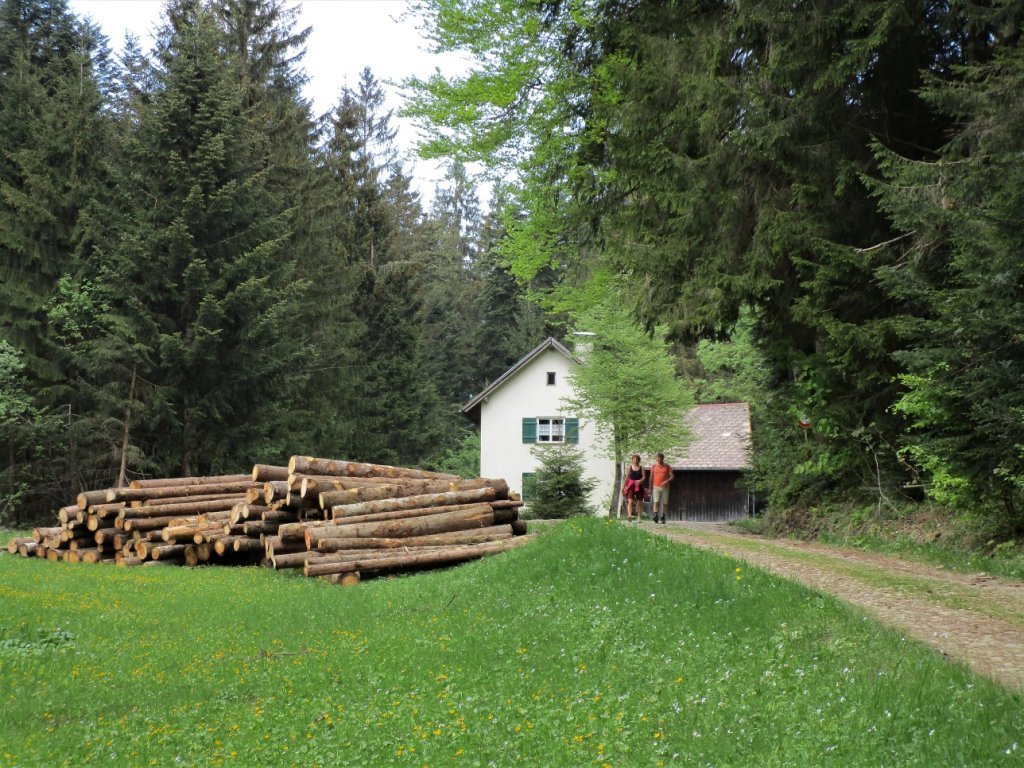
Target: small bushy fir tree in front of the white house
[[559, 489]]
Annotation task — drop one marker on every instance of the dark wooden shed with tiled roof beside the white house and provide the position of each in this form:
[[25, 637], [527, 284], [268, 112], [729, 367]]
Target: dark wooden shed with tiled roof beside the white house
[[706, 488]]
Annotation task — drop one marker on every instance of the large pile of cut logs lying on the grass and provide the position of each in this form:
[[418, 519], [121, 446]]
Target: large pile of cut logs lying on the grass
[[337, 520]]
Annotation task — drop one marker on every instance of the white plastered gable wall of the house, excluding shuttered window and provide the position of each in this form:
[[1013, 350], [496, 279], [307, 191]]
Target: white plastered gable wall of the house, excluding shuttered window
[[527, 394]]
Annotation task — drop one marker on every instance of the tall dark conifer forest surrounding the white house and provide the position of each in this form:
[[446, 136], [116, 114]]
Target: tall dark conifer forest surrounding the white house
[[819, 207]]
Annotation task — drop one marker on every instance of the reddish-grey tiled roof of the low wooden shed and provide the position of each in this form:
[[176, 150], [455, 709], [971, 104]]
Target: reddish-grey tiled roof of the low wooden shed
[[721, 439]]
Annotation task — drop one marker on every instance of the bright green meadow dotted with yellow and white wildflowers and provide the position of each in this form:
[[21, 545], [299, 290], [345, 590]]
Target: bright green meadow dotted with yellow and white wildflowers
[[596, 646]]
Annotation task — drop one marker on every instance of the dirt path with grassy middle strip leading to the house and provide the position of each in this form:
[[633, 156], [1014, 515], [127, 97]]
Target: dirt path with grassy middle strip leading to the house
[[974, 619]]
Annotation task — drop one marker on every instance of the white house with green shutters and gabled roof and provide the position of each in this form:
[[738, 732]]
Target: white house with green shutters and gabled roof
[[524, 409]]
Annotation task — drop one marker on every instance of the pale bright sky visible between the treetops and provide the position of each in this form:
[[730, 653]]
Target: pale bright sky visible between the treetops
[[348, 36]]
